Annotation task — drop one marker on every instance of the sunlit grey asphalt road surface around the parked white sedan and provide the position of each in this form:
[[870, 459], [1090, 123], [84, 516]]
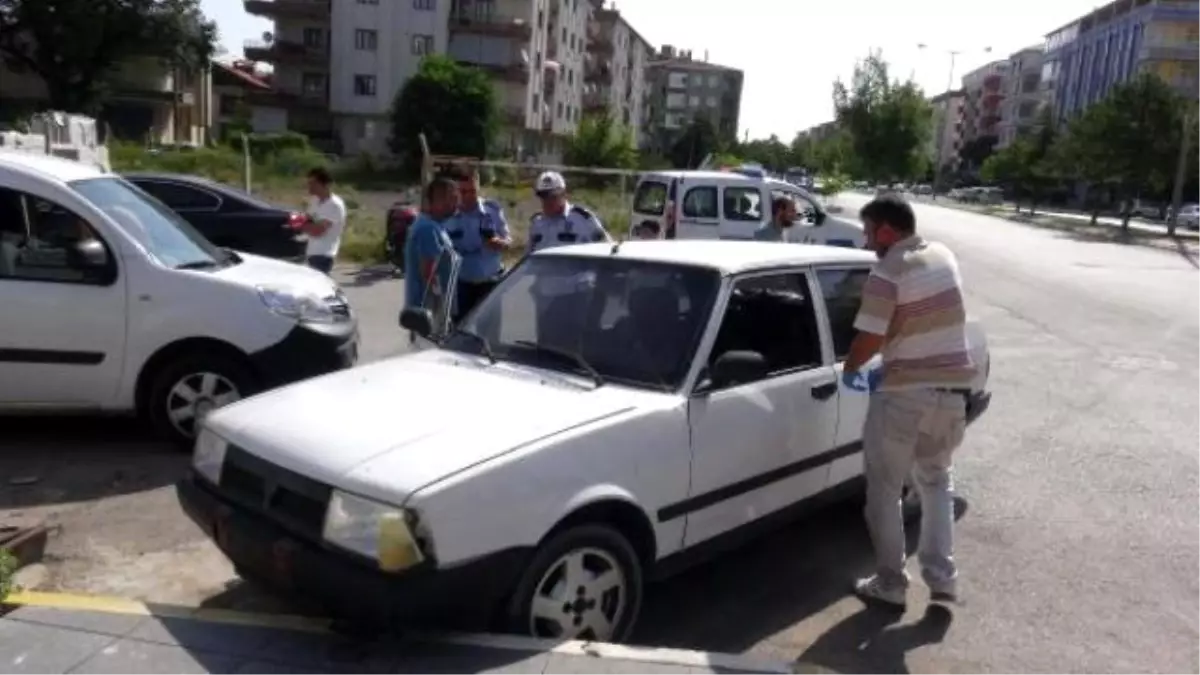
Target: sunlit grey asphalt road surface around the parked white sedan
[[1078, 552]]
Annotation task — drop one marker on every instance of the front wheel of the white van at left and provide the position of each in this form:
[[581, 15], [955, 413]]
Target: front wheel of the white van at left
[[187, 390]]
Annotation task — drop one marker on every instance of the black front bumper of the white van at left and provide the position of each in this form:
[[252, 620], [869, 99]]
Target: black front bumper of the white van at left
[[310, 350]]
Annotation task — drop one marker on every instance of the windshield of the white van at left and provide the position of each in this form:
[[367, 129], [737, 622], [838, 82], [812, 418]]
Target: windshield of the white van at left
[[165, 235]]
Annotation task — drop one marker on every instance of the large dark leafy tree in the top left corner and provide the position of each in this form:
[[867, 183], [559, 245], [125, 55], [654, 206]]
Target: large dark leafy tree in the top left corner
[[76, 46]]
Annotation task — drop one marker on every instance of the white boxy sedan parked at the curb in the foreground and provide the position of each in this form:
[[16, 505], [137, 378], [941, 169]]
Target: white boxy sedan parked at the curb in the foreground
[[608, 414]]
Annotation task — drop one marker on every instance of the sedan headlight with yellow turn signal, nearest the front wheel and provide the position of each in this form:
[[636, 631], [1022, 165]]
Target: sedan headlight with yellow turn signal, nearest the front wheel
[[375, 530]]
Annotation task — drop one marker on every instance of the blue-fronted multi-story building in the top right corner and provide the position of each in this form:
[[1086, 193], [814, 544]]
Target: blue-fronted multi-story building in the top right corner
[[1117, 43]]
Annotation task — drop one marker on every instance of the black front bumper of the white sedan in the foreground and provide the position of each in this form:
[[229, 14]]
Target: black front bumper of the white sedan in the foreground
[[464, 598]]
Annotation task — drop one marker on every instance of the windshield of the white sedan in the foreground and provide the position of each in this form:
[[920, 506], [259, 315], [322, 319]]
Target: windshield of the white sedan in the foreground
[[614, 320]]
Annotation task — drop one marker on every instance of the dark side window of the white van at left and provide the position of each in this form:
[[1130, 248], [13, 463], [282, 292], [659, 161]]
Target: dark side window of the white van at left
[[40, 241]]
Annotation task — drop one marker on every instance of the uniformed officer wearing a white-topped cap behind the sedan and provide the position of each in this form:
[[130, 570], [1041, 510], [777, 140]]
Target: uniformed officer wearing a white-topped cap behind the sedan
[[560, 224]]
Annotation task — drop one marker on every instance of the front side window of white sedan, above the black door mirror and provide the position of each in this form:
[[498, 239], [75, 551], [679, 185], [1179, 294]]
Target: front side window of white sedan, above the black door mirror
[[773, 316]]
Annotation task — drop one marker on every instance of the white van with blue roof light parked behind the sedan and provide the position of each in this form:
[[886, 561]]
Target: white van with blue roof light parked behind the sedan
[[727, 205]]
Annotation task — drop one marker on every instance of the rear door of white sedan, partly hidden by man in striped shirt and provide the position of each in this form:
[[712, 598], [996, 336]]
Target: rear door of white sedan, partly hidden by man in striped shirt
[[842, 295]]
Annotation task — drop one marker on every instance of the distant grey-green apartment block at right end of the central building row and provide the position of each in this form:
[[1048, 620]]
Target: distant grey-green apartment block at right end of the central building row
[[685, 89]]
